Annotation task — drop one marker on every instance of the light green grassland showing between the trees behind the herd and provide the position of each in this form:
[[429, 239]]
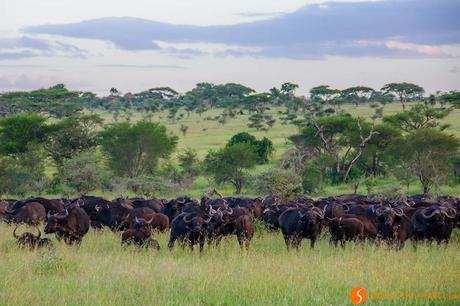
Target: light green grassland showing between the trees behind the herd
[[204, 135]]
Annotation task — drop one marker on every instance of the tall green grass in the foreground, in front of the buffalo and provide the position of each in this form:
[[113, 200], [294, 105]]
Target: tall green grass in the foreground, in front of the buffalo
[[101, 272]]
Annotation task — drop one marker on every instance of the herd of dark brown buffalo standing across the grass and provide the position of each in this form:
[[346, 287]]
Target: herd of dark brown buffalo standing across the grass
[[347, 218]]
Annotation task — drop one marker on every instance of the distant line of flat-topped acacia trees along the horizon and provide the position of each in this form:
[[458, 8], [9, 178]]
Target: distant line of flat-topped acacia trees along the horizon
[[233, 99]]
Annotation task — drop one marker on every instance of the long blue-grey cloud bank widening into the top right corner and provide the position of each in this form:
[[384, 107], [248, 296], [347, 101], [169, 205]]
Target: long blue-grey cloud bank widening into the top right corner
[[392, 28]]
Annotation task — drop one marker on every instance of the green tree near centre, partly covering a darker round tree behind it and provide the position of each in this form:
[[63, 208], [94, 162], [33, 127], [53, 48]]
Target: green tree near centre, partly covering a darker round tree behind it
[[230, 164]]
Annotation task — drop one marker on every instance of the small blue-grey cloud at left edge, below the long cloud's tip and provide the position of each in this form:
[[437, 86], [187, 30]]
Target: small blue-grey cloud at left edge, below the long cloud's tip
[[13, 48]]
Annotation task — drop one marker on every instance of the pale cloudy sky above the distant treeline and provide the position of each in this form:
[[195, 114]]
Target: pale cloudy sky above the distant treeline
[[139, 44]]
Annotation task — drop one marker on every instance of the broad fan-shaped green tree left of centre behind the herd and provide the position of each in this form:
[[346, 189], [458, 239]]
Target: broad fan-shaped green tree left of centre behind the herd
[[135, 149]]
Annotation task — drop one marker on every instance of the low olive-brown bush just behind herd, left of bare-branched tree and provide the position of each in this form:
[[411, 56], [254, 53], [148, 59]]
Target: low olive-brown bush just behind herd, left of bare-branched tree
[[282, 183]]
